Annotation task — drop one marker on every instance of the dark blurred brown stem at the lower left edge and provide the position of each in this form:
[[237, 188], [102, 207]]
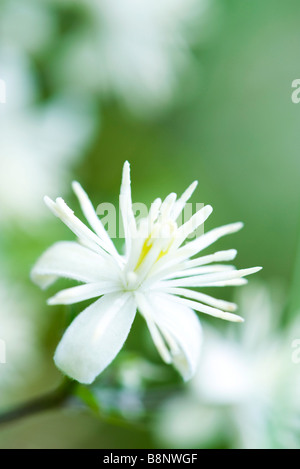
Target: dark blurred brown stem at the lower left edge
[[51, 400]]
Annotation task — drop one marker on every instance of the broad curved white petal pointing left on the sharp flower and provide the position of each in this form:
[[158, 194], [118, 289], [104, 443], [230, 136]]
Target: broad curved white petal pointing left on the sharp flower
[[69, 259]]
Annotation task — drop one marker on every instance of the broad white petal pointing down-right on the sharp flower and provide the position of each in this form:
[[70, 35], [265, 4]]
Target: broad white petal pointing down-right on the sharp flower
[[181, 330]]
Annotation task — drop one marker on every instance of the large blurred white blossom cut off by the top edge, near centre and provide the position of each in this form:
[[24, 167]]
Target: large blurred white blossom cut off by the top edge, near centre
[[132, 49]]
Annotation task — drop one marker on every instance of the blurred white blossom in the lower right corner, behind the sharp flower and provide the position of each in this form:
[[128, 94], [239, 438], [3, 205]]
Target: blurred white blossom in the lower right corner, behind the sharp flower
[[245, 386]]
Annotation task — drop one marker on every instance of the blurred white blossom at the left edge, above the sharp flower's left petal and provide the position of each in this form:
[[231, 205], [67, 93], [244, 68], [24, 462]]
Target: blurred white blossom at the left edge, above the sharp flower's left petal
[[38, 142]]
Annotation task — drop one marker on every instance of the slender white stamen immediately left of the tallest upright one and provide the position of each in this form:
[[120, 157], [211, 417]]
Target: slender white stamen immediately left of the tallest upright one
[[93, 219]]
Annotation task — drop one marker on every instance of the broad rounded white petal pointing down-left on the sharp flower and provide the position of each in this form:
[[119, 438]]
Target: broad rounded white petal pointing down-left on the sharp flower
[[95, 337]]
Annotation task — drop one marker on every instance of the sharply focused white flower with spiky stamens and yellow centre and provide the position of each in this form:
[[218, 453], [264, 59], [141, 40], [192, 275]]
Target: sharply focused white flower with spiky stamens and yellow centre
[[153, 276]]
